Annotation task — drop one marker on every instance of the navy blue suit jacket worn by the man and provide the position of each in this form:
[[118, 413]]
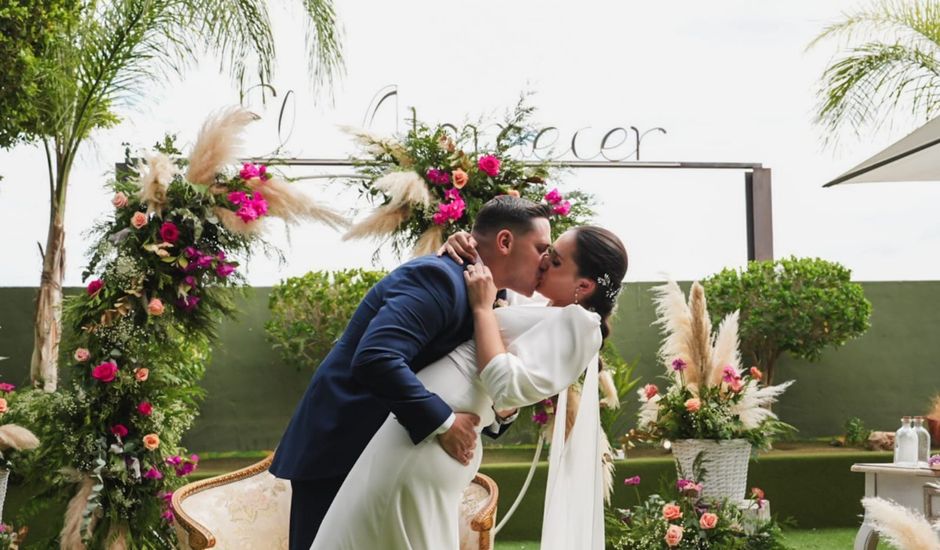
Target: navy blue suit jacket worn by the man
[[415, 315]]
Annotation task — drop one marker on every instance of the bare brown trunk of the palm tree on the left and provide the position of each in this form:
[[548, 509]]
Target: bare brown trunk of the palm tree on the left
[[47, 327]]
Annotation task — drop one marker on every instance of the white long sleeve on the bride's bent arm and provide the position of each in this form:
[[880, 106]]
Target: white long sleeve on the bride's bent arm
[[543, 360]]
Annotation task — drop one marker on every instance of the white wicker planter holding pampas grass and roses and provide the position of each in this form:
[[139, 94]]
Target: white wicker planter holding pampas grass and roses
[[725, 464]]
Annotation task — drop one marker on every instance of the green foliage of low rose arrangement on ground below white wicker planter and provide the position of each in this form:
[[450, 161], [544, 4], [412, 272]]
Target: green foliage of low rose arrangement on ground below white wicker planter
[[644, 525]]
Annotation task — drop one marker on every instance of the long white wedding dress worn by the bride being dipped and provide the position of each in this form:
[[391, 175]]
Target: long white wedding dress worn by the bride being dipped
[[401, 496]]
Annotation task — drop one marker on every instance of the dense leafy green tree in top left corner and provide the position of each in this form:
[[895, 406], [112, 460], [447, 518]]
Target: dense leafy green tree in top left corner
[[27, 31]]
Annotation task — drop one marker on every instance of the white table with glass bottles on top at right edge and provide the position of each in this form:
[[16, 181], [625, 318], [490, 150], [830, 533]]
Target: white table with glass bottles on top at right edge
[[915, 488]]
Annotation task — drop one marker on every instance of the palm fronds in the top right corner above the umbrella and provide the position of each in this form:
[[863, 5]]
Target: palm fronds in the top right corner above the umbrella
[[892, 62]]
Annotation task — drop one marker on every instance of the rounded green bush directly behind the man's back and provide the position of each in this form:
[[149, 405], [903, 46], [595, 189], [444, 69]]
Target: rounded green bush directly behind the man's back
[[309, 313]]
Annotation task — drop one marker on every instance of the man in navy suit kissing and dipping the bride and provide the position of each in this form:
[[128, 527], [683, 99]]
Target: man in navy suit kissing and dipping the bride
[[414, 316]]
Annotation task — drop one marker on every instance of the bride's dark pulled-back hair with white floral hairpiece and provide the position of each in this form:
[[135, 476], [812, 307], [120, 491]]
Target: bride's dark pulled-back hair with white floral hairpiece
[[601, 257]]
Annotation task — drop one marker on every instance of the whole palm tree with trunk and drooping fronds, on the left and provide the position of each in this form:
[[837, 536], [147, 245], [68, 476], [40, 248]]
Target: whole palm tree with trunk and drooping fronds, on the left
[[103, 61]]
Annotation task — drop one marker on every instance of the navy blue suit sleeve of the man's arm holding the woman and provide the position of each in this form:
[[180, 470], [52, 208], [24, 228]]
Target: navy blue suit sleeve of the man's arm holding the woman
[[417, 309]]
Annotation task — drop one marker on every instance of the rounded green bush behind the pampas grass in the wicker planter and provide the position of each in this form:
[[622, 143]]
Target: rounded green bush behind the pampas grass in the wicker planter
[[796, 305]]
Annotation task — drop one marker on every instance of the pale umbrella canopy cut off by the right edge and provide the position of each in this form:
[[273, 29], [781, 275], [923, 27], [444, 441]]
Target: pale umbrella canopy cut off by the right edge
[[913, 158]]
